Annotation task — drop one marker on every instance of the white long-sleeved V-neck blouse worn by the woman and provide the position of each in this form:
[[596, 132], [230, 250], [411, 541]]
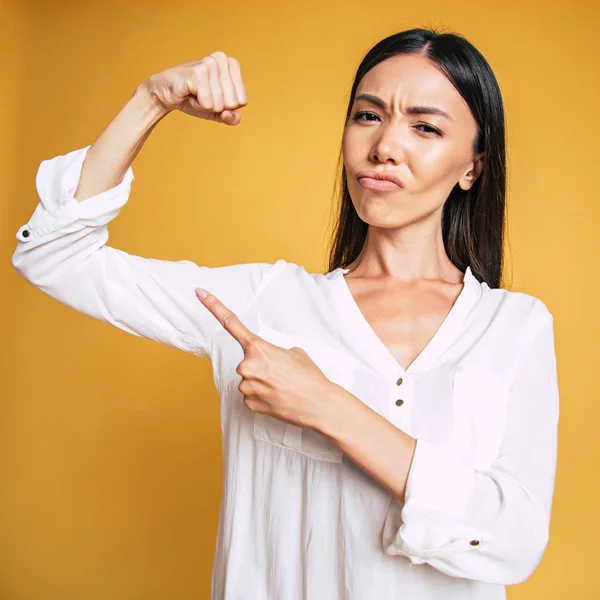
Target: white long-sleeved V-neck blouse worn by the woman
[[299, 520]]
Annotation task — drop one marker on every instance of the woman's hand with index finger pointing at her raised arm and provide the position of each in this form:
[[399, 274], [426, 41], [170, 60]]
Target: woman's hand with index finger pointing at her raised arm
[[285, 384]]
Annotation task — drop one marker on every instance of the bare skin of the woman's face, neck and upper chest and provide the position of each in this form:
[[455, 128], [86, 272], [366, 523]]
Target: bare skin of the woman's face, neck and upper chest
[[403, 281]]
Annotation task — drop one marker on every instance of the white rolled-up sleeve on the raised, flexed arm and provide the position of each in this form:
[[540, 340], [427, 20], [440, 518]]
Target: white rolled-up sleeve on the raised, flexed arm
[[62, 250]]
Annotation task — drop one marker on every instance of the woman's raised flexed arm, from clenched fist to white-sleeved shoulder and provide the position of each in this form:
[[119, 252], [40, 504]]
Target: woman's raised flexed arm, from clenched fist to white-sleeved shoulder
[[63, 250]]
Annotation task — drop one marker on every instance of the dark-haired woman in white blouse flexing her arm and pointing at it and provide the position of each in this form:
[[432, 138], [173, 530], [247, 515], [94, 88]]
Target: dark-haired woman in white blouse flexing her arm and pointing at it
[[390, 427]]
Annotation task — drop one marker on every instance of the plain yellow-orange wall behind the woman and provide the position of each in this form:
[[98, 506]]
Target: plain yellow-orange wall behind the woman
[[110, 448]]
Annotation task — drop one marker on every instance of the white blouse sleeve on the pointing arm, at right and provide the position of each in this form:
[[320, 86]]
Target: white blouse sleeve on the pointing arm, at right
[[490, 525]]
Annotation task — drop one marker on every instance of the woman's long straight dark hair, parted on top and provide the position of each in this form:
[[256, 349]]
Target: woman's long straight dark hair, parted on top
[[473, 221]]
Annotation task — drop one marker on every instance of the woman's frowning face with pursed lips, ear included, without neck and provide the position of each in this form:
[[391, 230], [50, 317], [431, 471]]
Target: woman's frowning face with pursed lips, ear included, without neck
[[428, 153]]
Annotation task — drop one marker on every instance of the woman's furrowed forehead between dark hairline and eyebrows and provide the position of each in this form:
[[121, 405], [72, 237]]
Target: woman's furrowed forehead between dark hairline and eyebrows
[[408, 79]]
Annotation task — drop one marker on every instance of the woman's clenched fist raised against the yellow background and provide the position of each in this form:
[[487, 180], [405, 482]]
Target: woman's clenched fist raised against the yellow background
[[209, 88]]
